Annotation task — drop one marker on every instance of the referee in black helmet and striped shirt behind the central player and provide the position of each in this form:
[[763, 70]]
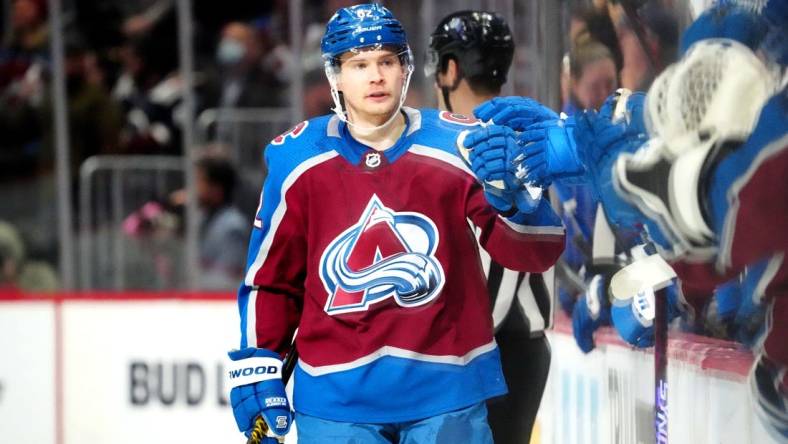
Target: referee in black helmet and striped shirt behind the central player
[[468, 58]]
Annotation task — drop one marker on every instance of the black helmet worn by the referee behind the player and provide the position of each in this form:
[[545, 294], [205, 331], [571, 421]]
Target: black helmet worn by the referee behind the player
[[480, 41]]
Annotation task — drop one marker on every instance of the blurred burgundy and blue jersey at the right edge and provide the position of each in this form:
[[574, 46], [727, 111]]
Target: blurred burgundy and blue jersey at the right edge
[[748, 210]]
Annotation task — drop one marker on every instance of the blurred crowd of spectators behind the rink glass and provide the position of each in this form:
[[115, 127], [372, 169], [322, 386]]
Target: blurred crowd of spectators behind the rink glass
[[256, 71]]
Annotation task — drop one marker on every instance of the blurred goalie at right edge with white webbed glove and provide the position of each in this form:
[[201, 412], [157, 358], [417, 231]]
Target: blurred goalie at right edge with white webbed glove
[[703, 188]]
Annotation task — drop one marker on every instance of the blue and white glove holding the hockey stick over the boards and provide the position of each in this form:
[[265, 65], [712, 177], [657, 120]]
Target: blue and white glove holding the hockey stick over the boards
[[634, 317]]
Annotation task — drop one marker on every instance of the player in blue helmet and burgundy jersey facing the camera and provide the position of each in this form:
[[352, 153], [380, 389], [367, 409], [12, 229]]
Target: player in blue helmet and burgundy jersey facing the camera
[[363, 242]]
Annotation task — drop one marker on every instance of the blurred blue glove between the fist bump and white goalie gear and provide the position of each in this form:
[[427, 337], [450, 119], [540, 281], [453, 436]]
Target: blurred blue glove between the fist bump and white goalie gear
[[599, 143]]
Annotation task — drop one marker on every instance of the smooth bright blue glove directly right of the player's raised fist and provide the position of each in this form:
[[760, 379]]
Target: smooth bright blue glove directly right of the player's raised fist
[[551, 153]]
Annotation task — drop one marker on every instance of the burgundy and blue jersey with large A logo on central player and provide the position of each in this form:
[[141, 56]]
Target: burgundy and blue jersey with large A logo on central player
[[372, 256]]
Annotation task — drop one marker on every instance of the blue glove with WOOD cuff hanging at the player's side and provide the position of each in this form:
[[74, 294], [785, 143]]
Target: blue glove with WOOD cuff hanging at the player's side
[[257, 389]]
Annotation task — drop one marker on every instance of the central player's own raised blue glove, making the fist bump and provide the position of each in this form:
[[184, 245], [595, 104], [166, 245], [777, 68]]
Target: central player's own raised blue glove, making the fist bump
[[496, 160]]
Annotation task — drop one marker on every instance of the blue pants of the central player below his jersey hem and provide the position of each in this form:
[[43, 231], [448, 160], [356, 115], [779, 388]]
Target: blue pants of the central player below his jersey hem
[[466, 426]]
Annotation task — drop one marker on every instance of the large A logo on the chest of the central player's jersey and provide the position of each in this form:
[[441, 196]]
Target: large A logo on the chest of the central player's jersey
[[385, 254]]
